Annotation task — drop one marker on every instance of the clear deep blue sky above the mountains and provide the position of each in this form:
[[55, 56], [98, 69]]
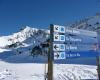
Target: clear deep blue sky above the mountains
[[15, 14]]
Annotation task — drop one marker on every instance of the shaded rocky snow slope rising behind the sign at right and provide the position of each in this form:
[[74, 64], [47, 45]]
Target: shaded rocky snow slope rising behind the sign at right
[[89, 23]]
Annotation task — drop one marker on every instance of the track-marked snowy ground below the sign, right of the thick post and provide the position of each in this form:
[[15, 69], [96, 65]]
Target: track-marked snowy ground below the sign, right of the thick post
[[74, 72]]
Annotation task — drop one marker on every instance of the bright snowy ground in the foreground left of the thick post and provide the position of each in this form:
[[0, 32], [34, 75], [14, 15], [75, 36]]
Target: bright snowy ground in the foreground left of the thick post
[[27, 71]]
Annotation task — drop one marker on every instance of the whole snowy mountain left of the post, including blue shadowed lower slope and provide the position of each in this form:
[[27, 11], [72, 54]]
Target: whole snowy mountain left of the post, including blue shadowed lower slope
[[25, 44]]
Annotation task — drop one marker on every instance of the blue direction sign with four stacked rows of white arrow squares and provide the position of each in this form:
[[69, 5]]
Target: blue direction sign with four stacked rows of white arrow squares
[[74, 43]]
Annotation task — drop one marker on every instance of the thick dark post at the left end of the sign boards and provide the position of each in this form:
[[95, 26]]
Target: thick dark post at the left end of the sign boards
[[50, 56]]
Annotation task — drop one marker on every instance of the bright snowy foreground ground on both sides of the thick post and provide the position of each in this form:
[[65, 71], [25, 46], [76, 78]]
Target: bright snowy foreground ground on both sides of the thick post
[[34, 71]]
